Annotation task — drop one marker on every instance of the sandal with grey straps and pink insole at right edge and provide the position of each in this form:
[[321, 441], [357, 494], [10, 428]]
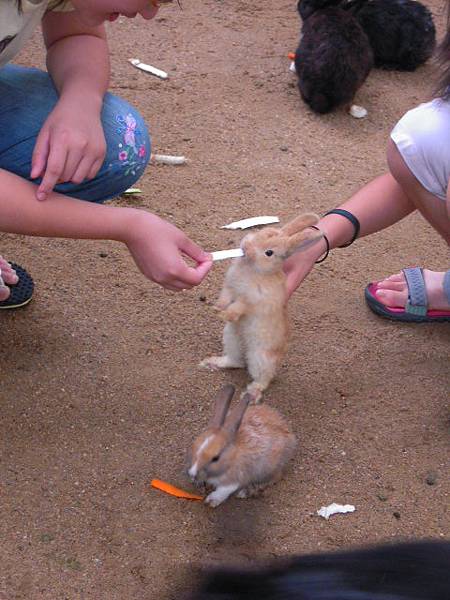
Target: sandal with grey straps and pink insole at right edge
[[416, 309]]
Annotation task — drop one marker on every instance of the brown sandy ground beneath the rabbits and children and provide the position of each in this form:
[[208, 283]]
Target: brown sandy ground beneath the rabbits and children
[[100, 389]]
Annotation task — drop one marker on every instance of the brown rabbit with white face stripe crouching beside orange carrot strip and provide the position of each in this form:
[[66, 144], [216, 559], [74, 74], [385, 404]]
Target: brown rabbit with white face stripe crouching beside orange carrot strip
[[242, 451]]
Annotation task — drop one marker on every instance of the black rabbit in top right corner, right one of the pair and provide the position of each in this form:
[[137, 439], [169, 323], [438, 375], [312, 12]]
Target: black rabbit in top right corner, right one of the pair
[[401, 32]]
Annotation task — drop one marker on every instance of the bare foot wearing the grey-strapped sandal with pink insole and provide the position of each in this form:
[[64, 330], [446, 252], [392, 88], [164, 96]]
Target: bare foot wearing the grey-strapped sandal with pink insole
[[393, 291]]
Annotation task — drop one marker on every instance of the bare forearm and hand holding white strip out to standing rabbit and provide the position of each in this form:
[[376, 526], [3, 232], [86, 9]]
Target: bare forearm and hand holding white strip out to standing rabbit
[[156, 245]]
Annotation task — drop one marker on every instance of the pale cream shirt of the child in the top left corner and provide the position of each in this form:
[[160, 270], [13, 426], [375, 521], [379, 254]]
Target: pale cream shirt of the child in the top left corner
[[18, 20]]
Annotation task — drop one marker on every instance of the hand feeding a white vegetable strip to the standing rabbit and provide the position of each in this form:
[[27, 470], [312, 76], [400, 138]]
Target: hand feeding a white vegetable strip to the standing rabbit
[[157, 248]]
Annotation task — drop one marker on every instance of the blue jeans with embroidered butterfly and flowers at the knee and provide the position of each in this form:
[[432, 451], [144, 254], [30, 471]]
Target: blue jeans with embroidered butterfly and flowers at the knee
[[27, 96]]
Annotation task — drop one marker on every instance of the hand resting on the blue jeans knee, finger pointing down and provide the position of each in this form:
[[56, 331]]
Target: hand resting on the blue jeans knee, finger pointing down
[[70, 147]]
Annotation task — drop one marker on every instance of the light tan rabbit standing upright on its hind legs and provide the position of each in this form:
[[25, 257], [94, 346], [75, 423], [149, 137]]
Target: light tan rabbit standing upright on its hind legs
[[253, 302]]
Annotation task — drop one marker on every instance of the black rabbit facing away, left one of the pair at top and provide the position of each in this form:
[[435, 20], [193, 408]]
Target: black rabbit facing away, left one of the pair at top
[[334, 56]]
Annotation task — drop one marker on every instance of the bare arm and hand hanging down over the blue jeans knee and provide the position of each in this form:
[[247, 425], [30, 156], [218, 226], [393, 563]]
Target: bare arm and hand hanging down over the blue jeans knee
[[71, 144]]
